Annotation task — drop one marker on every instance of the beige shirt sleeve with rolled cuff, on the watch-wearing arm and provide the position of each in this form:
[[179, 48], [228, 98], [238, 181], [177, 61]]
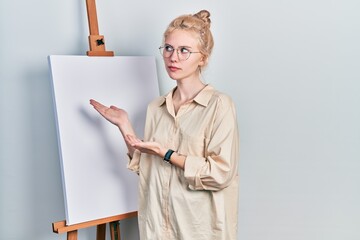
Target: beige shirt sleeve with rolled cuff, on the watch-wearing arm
[[220, 166]]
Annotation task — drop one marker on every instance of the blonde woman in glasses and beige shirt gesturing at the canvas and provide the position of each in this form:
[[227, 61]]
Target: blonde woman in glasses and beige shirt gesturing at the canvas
[[188, 160]]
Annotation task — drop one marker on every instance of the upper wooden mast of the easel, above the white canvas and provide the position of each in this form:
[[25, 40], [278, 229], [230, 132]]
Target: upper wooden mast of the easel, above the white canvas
[[96, 41]]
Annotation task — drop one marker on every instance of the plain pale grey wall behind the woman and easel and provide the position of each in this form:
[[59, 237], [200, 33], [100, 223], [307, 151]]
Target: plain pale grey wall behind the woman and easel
[[292, 67]]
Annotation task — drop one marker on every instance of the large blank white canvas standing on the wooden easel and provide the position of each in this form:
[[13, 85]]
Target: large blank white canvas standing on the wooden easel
[[96, 182]]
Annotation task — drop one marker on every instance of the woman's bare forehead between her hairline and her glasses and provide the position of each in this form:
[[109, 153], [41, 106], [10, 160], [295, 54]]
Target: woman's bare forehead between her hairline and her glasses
[[182, 38]]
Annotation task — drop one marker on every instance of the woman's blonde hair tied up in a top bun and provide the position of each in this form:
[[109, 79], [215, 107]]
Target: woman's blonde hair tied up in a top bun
[[198, 23]]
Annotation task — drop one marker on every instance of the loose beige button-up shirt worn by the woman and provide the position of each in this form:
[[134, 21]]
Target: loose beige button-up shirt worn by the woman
[[201, 201]]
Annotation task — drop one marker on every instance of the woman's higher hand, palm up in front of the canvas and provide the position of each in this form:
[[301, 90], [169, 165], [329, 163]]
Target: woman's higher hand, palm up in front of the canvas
[[115, 115]]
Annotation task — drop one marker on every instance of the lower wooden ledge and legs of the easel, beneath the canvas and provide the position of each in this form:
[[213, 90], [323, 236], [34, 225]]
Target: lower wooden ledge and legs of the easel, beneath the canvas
[[72, 230]]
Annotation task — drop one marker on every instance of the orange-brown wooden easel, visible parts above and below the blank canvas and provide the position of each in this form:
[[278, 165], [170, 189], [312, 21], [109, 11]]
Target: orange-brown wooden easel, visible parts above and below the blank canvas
[[97, 48]]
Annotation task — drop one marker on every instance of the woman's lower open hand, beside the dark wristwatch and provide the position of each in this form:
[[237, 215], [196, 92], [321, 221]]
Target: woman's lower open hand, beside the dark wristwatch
[[153, 148]]
